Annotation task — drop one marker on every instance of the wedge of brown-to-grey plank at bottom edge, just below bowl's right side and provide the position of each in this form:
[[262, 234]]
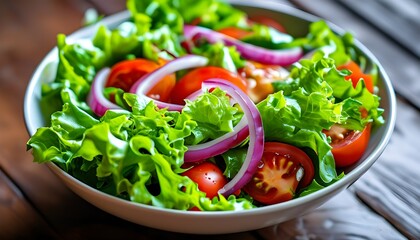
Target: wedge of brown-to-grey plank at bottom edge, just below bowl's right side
[[343, 217]]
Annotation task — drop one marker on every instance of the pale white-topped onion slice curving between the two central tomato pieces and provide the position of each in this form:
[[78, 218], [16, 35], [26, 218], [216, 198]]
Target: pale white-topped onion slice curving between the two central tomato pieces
[[142, 86]]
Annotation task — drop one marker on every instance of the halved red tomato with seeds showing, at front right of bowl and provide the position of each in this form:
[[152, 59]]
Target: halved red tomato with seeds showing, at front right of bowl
[[279, 173]]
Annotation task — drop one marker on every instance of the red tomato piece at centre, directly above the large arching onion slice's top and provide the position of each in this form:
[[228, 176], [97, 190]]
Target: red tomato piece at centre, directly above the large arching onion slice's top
[[191, 82]]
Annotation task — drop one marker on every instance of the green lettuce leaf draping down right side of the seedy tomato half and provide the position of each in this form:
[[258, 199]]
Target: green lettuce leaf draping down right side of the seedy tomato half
[[289, 120]]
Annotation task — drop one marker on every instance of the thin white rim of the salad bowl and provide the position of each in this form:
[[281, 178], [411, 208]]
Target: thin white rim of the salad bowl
[[347, 180]]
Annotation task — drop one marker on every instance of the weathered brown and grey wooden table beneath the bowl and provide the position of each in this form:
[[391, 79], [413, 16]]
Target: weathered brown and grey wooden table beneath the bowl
[[34, 204]]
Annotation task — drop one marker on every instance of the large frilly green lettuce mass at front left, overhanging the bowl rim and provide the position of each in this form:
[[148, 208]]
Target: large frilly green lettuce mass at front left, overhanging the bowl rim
[[135, 155]]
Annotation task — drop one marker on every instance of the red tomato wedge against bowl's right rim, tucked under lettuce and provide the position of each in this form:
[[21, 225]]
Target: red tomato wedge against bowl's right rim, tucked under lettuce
[[348, 146]]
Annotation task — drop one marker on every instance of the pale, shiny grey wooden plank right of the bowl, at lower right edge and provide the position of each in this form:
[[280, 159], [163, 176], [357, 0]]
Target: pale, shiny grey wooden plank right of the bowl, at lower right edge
[[392, 186]]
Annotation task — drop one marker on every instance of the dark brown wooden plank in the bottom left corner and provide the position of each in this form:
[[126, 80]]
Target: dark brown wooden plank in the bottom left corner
[[18, 218]]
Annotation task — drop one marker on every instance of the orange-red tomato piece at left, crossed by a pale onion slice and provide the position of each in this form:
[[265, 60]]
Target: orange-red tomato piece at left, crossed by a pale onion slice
[[125, 73]]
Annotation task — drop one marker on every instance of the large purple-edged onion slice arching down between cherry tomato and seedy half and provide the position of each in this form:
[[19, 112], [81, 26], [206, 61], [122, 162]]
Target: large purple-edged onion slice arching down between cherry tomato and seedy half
[[256, 134]]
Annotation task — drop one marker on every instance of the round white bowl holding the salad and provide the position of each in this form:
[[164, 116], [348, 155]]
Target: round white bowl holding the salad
[[216, 222]]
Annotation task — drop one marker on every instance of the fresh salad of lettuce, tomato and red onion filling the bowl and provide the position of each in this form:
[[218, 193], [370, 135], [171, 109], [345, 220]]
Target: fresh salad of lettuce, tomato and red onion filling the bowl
[[194, 105]]
